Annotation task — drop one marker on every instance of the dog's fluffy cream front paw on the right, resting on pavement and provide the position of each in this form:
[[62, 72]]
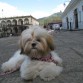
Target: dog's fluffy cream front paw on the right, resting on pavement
[[50, 72]]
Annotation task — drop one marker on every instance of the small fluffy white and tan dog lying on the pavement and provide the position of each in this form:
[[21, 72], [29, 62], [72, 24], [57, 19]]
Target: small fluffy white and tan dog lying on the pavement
[[36, 56]]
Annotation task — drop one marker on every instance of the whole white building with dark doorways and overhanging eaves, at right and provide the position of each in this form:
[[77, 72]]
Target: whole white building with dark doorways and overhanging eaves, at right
[[72, 17]]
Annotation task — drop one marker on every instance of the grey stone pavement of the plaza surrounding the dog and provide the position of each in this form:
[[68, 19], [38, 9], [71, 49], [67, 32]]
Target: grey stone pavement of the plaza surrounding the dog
[[69, 46]]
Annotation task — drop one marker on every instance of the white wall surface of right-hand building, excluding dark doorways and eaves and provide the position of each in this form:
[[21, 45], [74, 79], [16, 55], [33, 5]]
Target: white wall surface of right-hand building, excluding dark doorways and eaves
[[71, 18]]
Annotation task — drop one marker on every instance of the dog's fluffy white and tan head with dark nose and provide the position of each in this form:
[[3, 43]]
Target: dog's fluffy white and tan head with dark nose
[[36, 42]]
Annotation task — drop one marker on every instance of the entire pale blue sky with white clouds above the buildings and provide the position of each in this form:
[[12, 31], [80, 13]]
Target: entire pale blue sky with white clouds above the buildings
[[36, 8]]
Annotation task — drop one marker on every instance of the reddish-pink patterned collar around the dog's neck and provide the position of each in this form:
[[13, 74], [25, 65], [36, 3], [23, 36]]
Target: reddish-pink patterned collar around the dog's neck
[[46, 59]]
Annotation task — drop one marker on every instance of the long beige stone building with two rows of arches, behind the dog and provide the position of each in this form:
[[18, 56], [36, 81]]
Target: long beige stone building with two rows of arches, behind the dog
[[15, 25]]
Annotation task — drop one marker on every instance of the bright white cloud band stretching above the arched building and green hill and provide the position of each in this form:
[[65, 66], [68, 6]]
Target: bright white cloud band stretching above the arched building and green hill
[[9, 10]]
